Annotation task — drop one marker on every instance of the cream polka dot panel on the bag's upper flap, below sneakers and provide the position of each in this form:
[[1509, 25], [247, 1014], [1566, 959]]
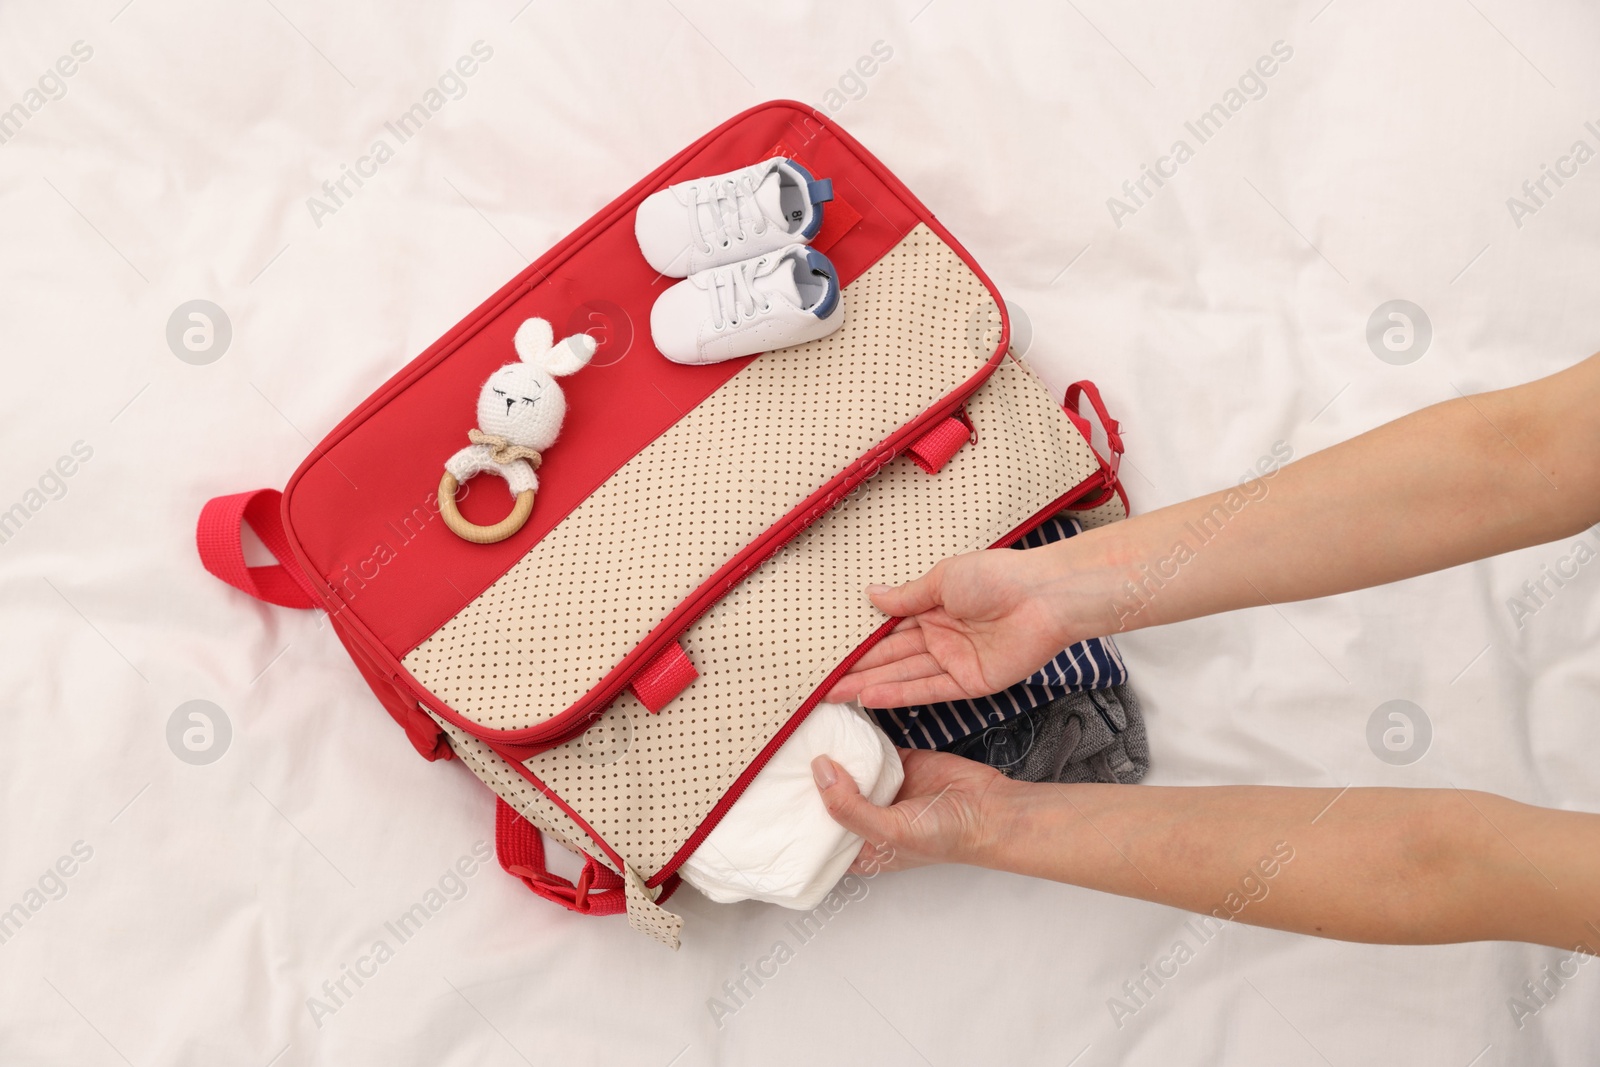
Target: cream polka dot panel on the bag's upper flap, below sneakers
[[918, 326]]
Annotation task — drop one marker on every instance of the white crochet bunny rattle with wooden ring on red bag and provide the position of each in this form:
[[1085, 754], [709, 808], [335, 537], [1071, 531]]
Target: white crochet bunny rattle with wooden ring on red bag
[[521, 412]]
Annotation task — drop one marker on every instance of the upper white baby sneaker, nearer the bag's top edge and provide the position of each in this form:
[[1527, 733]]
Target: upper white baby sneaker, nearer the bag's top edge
[[727, 218]]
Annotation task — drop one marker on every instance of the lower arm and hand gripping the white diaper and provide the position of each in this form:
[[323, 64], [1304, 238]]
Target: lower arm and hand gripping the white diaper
[[1393, 866]]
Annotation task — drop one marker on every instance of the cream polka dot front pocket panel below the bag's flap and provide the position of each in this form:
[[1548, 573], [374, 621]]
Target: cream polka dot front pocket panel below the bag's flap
[[777, 637]]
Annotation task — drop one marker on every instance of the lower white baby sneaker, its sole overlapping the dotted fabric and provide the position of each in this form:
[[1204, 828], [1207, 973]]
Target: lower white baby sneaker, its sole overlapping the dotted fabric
[[786, 297]]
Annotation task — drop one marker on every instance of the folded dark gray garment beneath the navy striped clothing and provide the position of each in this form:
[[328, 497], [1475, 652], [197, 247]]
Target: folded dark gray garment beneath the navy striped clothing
[[1095, 737]]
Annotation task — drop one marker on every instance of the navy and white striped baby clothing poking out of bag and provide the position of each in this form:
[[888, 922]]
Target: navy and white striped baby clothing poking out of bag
[[1087, 666]]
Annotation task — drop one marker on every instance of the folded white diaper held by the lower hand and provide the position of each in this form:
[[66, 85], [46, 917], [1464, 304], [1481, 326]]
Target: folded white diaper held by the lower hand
[[778, 844]]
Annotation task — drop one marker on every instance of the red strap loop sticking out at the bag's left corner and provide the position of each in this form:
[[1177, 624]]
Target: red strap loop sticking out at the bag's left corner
[[223, 554]]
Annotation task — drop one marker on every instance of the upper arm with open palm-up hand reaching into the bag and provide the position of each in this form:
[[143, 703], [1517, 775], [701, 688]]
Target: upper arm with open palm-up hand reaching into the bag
[[1457, 482]]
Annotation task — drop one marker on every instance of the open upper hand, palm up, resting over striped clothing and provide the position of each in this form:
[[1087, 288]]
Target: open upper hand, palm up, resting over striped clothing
[[974, 626]]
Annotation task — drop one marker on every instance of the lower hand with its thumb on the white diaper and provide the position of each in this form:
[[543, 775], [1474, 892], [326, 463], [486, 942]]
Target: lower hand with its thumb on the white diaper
[[945, 812]]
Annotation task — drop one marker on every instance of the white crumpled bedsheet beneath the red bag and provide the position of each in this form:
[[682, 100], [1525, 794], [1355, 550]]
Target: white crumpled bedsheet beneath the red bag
[[1225, 314]]
